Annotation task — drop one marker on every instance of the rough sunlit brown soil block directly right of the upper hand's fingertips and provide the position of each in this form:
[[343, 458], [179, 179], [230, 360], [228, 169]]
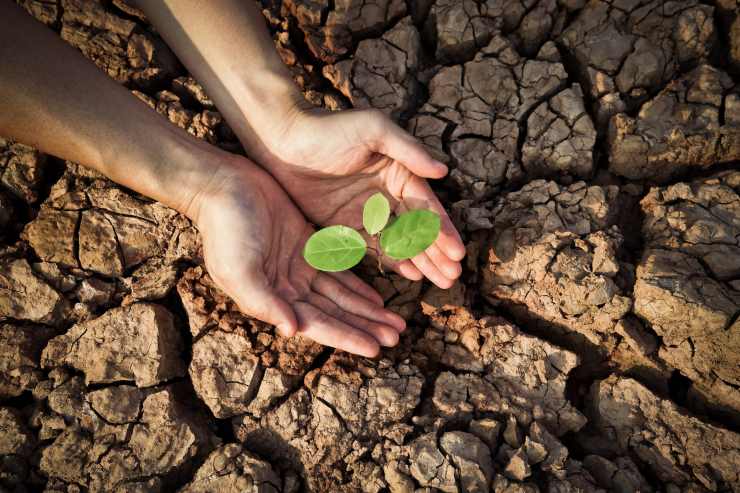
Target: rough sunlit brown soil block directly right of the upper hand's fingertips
[[553, 257]]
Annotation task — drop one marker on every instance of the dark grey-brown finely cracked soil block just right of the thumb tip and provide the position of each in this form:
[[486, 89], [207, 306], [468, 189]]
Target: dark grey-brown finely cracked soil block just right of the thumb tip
[[503, 117]]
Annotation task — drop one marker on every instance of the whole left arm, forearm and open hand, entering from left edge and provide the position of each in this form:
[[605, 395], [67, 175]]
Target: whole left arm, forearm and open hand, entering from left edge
[[56, 100]]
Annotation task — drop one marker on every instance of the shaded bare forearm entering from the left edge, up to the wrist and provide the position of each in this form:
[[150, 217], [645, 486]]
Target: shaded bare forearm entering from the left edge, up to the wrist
[[52, 98]]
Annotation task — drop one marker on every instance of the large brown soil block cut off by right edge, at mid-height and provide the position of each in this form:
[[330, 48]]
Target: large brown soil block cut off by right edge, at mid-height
[[686, 286]]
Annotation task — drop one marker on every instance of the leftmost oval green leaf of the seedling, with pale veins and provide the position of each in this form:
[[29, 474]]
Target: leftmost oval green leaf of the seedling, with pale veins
[[334, 249]]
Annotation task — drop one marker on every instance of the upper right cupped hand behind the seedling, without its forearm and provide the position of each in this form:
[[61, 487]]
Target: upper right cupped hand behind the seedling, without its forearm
[[330, 163]]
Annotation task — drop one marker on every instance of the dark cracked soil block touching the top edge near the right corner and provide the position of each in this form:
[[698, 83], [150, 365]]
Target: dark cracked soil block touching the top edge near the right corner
[[623, 51]]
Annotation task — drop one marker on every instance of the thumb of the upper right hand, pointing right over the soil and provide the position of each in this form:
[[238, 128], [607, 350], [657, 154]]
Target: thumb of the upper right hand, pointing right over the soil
[[399, 145]]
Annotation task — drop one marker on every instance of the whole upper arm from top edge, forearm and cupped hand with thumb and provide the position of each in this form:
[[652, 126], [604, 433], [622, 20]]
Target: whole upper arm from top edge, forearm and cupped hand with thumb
[[329, 163]]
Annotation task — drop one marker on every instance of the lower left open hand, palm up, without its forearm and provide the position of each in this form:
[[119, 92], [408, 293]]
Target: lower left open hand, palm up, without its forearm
[[253, 237]]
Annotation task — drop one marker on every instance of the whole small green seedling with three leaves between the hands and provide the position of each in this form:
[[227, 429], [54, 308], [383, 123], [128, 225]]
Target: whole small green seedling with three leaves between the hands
[[338, 248]]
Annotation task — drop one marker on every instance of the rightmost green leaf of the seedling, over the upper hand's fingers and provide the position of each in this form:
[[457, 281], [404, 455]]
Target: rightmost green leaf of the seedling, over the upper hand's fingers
[[410, 234]]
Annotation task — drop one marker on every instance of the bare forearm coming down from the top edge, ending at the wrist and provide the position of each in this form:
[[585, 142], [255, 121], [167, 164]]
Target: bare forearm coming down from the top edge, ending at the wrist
[[230, 52]]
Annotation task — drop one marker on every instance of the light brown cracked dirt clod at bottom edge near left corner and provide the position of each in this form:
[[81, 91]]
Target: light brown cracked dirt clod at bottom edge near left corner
[[162, 441]]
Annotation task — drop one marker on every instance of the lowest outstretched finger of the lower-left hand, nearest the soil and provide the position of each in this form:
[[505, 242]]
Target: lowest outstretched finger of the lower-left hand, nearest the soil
[[327, 330]]
